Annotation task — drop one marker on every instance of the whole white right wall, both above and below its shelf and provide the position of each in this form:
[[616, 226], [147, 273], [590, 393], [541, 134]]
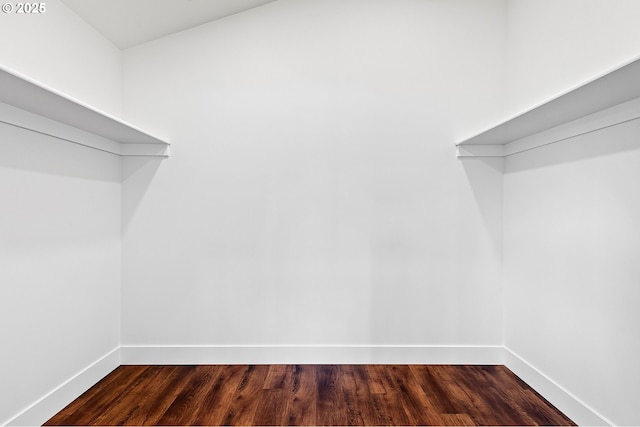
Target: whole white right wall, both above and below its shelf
[[571, 230]]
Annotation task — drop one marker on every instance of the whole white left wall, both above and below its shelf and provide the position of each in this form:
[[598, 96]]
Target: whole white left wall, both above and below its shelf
[[60, 221]]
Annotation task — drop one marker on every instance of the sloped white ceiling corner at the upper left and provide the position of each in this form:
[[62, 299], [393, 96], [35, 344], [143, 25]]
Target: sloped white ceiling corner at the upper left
[[131, 22]]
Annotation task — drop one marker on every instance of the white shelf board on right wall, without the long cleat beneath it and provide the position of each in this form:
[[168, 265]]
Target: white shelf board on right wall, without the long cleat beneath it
[[602, 93]]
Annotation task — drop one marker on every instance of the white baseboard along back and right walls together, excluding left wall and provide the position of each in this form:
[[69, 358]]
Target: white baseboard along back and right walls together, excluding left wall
[[575, 409]]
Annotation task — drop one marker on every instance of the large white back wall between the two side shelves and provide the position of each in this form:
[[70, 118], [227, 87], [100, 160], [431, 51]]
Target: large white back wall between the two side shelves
[[313, 195]]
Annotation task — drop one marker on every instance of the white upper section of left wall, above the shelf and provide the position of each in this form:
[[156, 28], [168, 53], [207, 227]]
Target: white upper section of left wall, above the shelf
[[60, 50]]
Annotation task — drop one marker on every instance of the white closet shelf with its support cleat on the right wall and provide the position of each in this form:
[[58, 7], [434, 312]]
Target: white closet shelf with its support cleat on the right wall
[[607, 100]]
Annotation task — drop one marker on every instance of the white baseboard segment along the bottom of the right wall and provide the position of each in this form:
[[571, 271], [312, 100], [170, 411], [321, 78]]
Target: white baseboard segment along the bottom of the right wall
[[581, 413]]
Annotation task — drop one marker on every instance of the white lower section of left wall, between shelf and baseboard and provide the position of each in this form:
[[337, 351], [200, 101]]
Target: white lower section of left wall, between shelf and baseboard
[[60, 248]]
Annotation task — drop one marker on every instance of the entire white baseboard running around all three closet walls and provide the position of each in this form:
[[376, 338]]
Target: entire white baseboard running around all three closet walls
[[49, 405]]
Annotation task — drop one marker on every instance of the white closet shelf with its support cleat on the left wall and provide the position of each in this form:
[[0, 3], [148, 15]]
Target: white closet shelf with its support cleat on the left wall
[[31, 105]]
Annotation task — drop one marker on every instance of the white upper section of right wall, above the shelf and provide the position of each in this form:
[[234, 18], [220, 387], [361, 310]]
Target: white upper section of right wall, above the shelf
[[554, 45]]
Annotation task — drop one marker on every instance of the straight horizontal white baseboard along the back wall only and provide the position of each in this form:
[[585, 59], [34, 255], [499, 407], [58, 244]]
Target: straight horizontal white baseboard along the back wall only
[[311, 354]]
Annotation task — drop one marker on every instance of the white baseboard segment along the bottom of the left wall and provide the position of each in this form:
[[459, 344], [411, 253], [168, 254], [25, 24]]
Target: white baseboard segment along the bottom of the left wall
[[51, 403]]
